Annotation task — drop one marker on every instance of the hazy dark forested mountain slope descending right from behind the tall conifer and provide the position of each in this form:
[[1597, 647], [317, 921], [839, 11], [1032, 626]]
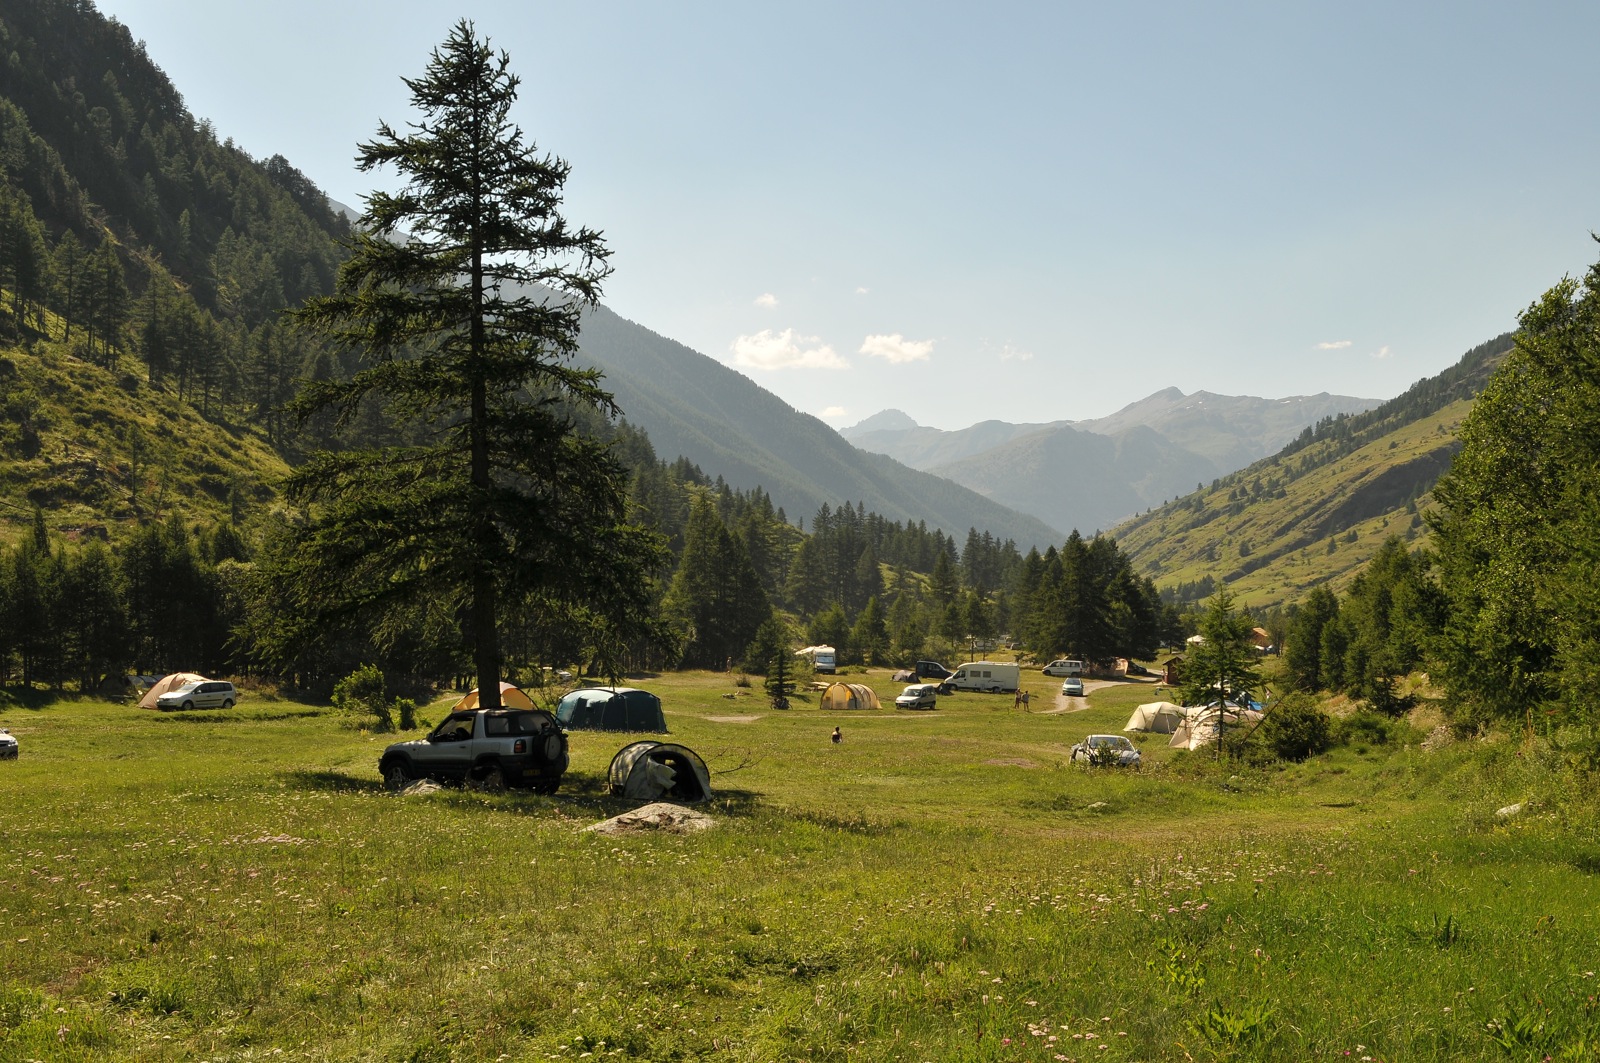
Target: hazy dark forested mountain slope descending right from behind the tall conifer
[[730, 427]]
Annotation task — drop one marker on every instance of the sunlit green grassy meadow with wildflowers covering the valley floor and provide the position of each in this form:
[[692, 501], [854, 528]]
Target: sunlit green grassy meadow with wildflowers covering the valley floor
[[940, 886]]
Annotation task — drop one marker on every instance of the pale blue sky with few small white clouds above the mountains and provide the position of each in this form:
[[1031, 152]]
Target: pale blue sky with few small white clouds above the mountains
[[1025, 212]]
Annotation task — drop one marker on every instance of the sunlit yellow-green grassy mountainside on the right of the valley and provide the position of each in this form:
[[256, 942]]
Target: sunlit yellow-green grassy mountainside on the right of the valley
[[1319, 510]]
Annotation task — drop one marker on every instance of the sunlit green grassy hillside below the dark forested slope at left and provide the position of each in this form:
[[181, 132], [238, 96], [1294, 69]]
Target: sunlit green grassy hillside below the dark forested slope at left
[[98, 449]]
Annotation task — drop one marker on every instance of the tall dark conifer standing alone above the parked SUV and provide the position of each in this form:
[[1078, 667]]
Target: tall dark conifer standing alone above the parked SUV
[[506, 502]]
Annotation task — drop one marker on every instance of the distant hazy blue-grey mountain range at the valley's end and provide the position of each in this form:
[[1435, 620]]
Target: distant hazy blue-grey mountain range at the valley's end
[[1092, 475]]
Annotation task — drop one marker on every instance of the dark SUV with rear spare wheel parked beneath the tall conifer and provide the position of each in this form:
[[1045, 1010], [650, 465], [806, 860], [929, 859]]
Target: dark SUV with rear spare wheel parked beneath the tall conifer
[[490, 748]]
